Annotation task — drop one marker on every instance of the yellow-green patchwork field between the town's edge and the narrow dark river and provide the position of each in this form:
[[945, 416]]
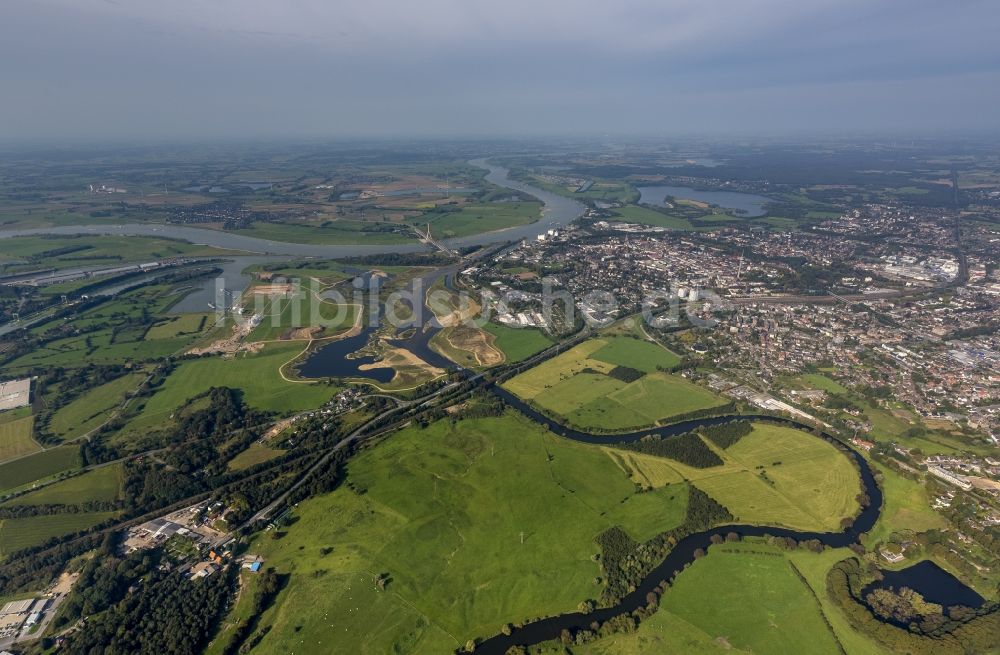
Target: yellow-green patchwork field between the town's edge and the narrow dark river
[[576, 386]]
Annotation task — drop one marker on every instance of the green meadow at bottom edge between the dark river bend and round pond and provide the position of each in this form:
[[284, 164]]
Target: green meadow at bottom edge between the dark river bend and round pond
[[750, 600]]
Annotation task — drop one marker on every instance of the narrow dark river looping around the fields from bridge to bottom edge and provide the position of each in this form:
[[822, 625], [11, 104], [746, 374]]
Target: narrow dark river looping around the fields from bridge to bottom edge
[[683, 553]]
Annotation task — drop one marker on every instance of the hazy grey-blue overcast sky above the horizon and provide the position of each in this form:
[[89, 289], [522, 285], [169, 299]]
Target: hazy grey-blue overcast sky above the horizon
[[175, 69]]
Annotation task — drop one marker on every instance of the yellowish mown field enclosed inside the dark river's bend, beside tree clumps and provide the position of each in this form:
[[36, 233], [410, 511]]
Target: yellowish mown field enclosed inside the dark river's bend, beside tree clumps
[[812, 488]]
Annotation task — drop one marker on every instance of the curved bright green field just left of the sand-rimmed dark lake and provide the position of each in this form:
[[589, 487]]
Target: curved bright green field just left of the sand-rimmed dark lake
[[256, 375]]
